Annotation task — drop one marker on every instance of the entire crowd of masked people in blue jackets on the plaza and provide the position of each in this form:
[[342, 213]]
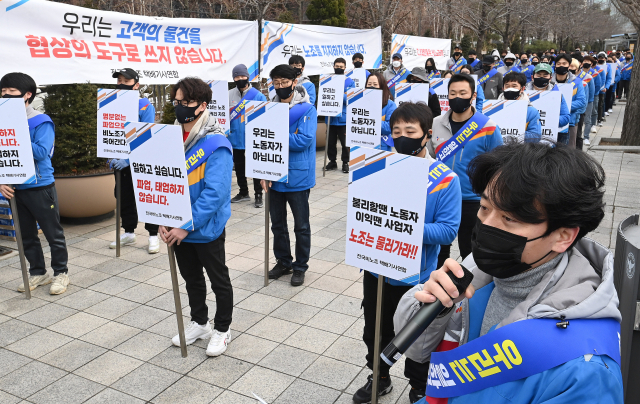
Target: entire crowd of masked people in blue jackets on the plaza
[[506, 205]]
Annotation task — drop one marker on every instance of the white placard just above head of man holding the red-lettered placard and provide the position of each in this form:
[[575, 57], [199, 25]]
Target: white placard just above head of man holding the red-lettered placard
[[364, 115]]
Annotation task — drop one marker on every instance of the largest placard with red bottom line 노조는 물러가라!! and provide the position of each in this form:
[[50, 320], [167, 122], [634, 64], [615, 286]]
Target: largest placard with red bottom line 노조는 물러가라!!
[[385, 213]]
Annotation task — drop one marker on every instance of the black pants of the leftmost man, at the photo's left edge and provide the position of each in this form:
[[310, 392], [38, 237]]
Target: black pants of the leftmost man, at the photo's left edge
[[40, 206]]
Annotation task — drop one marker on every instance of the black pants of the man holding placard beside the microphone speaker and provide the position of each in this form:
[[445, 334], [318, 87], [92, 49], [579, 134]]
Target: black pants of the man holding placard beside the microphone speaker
[[417, 373]]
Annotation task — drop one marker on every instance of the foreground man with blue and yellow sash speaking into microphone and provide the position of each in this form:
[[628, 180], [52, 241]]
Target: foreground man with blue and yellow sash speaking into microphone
[[539, 322]]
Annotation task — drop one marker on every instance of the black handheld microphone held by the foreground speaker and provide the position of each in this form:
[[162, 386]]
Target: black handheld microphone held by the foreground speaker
[[418, 323]]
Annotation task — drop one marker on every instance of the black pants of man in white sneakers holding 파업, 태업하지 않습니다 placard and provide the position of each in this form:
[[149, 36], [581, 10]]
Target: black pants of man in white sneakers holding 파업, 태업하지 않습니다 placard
[[191, 258]]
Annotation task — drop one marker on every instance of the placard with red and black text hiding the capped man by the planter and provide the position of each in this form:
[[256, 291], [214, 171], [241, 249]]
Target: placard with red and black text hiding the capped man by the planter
[[115, 108]]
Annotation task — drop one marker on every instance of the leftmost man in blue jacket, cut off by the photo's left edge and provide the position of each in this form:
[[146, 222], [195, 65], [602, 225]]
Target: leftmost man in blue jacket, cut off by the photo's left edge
[[38, 202]]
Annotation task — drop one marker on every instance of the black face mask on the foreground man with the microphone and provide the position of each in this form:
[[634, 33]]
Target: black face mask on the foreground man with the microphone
[[499, 253]]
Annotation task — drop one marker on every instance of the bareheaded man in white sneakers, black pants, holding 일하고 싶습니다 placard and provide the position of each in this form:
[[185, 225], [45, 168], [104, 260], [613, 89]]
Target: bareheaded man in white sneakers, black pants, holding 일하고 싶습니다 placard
[[210, 195]]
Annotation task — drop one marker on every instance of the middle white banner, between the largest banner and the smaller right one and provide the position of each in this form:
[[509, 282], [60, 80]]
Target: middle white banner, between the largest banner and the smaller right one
[[319, 45]]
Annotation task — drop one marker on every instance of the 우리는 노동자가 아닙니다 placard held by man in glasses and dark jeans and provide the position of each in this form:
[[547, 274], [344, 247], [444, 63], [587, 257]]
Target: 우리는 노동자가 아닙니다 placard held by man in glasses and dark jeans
[[267, 140]]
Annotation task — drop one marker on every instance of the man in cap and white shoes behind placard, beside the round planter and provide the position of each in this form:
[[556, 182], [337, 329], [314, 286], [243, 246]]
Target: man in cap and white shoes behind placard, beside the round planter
[[128, 79]]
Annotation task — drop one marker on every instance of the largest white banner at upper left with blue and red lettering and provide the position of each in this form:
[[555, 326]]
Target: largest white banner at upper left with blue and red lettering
[[57, 43]]
